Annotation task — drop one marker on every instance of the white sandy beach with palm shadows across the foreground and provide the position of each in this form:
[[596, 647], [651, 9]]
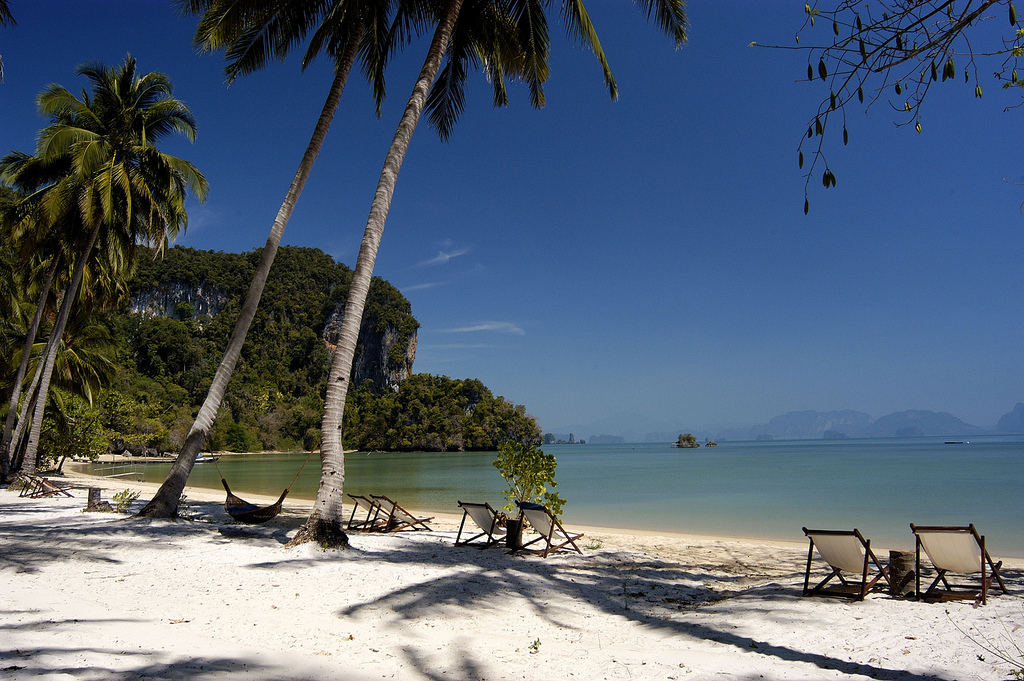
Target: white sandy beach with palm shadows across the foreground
[[99, 597]]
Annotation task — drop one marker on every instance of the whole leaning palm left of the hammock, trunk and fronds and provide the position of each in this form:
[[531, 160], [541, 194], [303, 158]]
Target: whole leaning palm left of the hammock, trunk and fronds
[[251, 32]]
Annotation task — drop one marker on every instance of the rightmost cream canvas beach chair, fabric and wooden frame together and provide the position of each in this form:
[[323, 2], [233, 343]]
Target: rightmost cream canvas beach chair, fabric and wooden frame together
[[956, 549]]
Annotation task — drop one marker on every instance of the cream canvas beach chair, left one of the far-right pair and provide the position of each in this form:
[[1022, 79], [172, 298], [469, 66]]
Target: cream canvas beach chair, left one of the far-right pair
[[848, 551]]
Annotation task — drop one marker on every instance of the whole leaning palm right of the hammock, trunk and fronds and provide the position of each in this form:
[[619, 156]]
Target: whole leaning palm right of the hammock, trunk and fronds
[[325, 524]]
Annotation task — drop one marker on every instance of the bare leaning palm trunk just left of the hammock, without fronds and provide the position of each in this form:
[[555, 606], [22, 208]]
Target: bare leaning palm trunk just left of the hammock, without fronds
[[165, 502]]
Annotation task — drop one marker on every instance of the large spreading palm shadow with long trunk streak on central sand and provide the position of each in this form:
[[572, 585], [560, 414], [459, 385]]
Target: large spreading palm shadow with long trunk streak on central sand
[[655, 593]]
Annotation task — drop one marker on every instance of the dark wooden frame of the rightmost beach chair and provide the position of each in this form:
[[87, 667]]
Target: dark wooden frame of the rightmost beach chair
[[990, 570]]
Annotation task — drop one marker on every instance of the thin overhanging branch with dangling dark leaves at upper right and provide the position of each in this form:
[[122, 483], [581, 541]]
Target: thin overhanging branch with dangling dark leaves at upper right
[[895, 52]]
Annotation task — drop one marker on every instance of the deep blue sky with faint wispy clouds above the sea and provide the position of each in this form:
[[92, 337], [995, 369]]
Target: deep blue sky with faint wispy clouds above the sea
[[626, 267]]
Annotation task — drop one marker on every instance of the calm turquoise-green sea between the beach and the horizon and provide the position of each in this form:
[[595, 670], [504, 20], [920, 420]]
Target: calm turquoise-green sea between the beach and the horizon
[[757, 490]]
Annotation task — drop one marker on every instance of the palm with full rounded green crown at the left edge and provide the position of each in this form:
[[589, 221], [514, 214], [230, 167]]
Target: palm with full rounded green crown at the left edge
[[103, 181]]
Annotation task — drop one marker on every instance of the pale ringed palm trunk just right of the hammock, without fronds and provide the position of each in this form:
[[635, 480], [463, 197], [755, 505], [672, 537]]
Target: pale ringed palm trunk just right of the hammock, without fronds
[[325, 524]]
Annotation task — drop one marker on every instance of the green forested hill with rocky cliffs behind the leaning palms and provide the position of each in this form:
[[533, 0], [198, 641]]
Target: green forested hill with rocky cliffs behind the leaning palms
[[182, 311]]
